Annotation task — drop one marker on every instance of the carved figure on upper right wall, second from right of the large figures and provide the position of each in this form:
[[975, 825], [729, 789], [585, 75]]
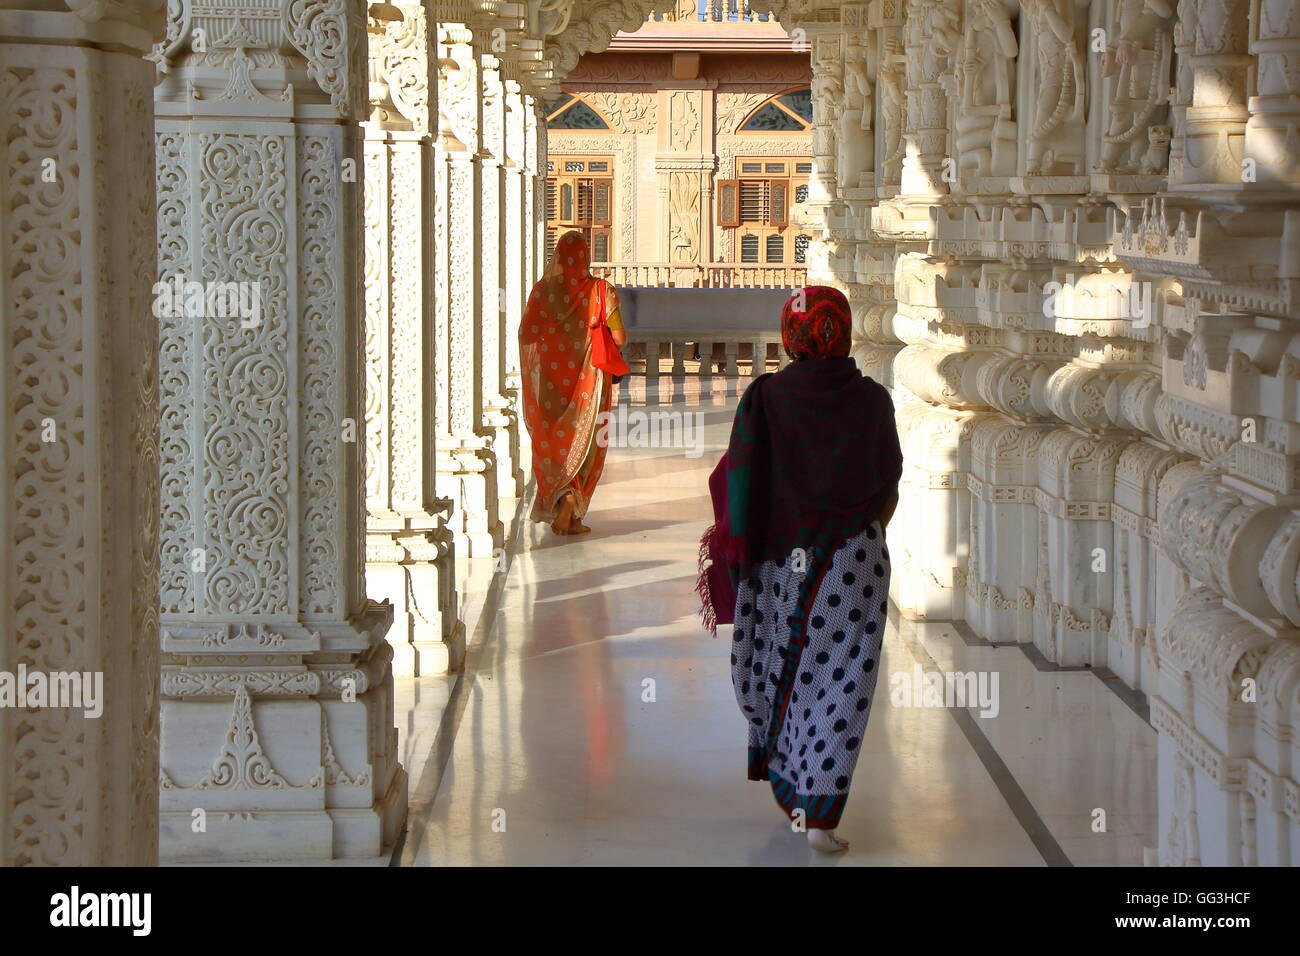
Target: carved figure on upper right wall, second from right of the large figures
[[1061, 86]]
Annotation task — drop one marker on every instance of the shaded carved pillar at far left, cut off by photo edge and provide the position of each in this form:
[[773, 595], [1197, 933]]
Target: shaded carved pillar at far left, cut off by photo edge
[[79, 782]]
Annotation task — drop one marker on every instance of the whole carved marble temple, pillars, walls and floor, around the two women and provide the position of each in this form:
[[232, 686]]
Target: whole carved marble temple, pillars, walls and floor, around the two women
[[287, 526]]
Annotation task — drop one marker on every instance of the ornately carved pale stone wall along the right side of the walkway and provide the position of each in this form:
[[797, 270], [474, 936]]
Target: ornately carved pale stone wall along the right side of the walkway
[[1099, 331]]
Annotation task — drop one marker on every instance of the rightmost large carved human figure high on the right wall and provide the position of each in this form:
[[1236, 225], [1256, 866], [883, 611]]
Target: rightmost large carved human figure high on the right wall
[[1137, 64]]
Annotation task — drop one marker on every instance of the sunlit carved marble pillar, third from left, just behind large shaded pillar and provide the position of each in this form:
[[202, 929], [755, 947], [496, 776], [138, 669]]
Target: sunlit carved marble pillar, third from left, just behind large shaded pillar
[[410, 553]]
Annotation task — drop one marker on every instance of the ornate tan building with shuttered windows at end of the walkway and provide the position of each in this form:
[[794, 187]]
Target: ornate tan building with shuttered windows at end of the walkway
[[687, 144]]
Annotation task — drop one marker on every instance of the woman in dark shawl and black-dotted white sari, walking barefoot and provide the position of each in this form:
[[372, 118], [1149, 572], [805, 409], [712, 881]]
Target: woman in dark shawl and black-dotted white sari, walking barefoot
[[800, 564]]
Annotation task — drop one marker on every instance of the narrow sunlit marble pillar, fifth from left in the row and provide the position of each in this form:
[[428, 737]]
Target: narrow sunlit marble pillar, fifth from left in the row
[[500, 422]]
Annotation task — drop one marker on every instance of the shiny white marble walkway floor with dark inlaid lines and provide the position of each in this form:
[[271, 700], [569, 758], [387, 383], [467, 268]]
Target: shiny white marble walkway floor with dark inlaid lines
[[597, 723]]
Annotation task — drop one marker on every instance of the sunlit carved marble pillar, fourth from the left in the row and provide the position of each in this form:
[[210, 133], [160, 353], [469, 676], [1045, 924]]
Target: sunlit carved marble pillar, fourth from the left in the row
[[466, 465]]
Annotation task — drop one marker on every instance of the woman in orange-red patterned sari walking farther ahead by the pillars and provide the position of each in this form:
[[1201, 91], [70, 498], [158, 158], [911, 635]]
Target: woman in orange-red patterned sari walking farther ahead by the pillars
[[565, 395]]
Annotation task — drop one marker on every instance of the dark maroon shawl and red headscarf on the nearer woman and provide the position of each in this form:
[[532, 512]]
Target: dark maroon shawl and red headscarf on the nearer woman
[[813, 458]]
